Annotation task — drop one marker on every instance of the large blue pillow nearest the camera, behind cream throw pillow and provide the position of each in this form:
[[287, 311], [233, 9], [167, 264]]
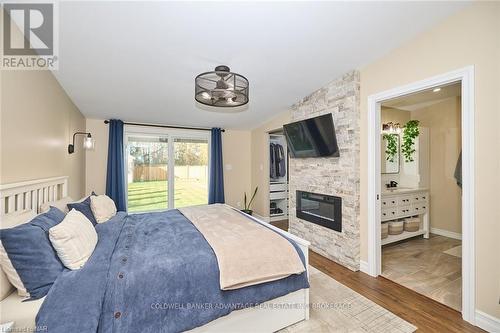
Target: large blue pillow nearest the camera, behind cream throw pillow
[[29, 249]]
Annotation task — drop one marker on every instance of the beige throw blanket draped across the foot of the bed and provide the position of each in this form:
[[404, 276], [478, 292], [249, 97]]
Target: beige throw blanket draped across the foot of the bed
[[247, 252]]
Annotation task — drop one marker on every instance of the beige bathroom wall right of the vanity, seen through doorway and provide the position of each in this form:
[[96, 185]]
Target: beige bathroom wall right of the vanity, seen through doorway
[[443, 121]]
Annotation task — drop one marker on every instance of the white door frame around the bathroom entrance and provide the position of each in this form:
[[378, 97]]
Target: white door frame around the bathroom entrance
[[466, 77]]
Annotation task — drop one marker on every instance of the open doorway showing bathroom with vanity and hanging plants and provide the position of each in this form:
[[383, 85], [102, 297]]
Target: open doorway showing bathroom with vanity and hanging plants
[[421, 192]]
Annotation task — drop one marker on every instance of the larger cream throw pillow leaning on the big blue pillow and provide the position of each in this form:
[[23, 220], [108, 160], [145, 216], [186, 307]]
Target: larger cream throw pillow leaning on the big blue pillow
[[74, 239]]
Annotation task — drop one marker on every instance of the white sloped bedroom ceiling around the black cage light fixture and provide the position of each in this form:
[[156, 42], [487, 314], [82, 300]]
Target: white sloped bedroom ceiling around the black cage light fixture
[[137, 60]]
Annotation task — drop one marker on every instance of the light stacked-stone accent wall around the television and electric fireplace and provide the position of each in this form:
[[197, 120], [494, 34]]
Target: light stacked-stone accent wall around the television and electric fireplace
[[339, 176]]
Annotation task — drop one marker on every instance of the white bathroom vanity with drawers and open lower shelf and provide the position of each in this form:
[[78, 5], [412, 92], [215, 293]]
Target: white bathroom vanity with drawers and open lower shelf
[[400, 203]]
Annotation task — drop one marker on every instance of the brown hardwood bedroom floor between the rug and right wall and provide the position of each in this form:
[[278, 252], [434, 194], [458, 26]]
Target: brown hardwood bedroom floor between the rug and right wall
[[423, 312]]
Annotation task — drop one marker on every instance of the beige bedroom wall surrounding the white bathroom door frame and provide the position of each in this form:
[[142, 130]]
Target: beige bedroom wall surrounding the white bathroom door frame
[[470, 37]]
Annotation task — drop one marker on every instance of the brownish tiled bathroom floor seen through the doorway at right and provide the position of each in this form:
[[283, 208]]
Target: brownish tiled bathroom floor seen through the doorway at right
[[421, 265]]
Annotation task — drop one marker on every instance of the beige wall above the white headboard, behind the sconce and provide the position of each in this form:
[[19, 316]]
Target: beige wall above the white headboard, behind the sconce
[[37, 123]]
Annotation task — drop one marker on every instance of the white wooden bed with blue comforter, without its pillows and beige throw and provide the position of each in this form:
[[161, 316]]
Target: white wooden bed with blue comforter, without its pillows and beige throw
[[83, 297]]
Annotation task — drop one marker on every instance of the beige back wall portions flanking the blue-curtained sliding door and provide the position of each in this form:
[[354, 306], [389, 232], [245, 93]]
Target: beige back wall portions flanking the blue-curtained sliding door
[[236, 155]]
